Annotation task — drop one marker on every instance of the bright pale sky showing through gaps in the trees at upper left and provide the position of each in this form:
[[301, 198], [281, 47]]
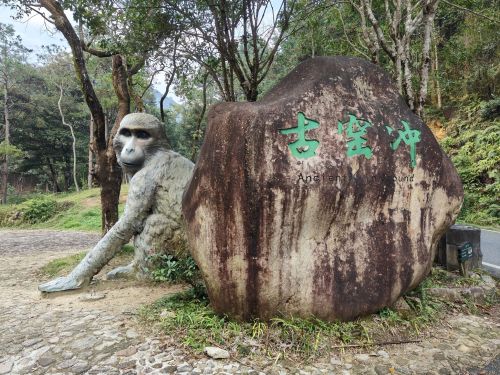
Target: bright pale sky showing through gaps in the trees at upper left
[[36, 33]]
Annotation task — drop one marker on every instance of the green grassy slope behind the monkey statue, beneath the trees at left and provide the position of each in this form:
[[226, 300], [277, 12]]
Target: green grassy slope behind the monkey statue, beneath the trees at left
[[75, 211]]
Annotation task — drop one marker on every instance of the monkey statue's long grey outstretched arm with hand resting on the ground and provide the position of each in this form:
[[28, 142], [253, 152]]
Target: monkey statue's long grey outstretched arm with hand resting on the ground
[[139, 202]]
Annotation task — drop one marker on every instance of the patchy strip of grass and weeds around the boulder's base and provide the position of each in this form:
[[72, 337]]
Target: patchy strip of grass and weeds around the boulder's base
[[189, 317]]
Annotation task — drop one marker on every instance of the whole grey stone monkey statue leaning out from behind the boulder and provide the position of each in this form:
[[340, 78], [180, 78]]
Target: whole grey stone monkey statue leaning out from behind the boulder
[[153, 209]]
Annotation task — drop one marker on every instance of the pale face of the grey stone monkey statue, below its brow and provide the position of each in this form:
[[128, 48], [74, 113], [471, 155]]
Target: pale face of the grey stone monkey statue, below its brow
[[134, 143]]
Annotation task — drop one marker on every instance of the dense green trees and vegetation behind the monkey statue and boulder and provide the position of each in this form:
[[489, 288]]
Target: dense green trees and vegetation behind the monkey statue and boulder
[[240, 58]]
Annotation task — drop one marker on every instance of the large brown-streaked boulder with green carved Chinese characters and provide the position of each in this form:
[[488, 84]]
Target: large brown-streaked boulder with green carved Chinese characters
[[326, 198]]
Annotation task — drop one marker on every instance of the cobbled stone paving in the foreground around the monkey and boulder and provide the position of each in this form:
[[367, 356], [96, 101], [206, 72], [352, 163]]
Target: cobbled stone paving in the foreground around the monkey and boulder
[[65, 335]]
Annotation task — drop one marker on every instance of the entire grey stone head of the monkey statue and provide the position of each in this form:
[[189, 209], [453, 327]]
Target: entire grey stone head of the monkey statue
[[138, 138]]
